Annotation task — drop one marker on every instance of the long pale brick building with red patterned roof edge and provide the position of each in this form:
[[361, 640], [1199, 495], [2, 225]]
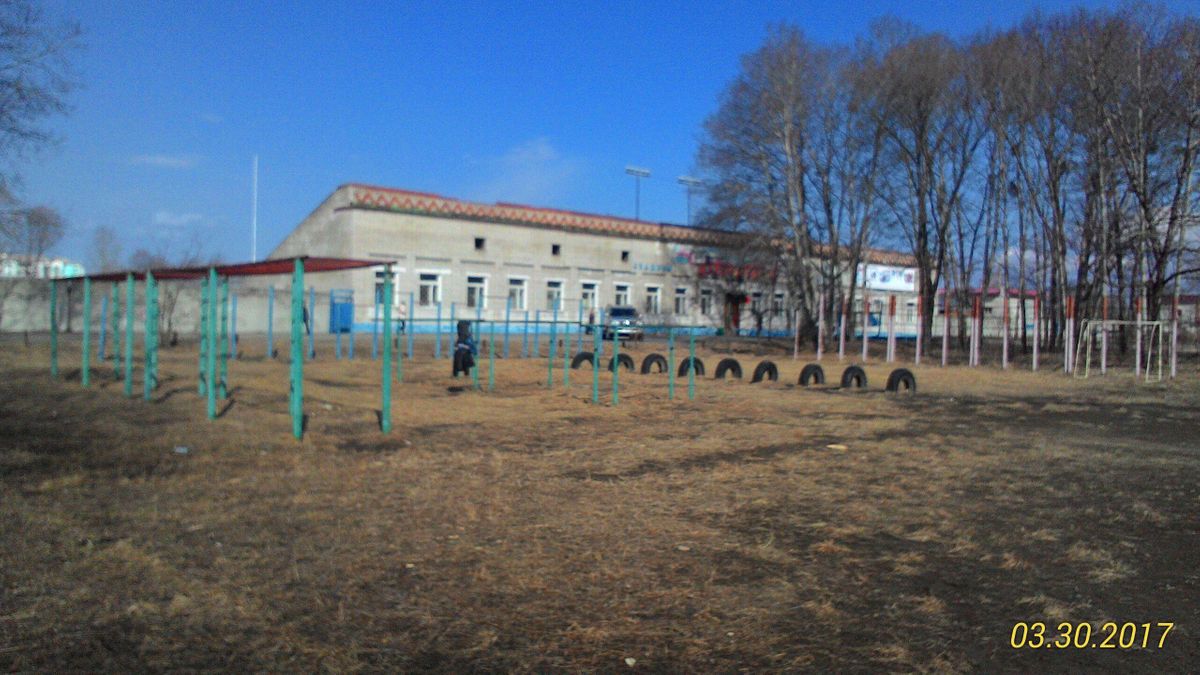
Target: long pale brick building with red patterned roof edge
[[491, 260]]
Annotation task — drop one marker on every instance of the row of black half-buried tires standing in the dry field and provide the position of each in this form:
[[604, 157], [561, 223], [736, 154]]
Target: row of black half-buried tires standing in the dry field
[[854, 378]]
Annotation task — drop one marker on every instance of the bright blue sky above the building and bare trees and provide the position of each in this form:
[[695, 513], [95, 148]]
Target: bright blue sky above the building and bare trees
[[541, 104]]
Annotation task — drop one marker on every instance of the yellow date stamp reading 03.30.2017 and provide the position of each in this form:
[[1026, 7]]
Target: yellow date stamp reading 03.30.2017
[[1081, 636]]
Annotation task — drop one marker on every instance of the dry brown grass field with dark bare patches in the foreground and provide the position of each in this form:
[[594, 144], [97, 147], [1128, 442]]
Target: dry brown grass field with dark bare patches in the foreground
[[759, 528]]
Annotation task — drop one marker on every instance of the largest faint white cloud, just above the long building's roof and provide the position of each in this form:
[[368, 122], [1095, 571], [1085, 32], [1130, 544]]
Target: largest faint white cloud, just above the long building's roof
[[533, 172]]
